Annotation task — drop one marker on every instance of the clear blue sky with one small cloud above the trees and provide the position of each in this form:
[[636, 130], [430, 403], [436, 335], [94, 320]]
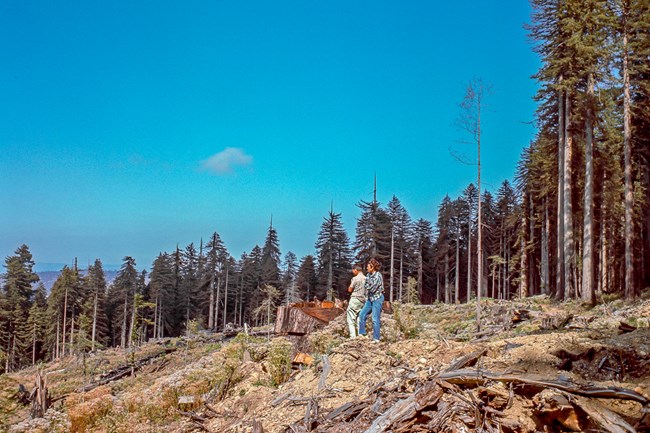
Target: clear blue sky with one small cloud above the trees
[[130, 127]]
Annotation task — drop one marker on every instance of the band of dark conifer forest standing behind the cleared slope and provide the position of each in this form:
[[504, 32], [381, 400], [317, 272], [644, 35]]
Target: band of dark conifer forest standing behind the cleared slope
[[575, 224]]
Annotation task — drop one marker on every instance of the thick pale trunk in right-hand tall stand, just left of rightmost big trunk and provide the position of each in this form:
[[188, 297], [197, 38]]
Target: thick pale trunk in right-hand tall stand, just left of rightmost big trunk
[[588, 293]]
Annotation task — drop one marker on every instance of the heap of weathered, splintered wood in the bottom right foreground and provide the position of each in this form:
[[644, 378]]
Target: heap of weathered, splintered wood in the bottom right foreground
[[466, 399]]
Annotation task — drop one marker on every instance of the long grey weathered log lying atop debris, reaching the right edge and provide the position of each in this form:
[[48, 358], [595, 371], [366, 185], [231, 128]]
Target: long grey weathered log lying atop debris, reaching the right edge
[[480, 377]]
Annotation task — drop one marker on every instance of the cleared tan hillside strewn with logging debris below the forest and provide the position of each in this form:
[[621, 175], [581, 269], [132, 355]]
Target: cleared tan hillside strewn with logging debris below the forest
[[536, 365]]
